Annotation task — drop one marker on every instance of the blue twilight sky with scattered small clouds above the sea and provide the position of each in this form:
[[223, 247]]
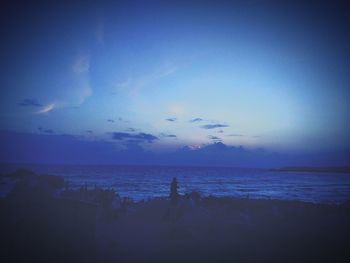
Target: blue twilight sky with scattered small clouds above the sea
[[164, 76]]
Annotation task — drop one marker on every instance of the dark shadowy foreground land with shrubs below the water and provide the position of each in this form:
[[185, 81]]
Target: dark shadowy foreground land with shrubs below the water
[[43, 220]]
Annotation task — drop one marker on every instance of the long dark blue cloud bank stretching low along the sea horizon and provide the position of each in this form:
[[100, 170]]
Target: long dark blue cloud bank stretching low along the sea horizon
[[67, 149]]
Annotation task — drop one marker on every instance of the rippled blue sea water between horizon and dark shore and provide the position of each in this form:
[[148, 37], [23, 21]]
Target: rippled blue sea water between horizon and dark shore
[[143, 182]]
